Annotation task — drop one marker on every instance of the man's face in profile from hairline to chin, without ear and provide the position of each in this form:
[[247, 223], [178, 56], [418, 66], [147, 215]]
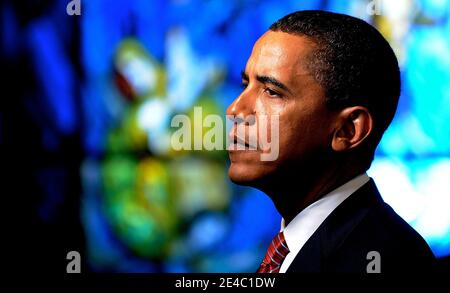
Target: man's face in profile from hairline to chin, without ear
[[277, 83]]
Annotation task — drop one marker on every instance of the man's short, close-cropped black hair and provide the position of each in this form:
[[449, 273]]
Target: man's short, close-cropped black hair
[[352, 61]]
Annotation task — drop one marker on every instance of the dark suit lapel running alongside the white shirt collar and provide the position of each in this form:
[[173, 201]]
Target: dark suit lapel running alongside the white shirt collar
[[334, 230]]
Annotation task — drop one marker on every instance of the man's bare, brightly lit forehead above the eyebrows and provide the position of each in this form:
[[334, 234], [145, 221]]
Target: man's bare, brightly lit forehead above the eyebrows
[[279, 53]]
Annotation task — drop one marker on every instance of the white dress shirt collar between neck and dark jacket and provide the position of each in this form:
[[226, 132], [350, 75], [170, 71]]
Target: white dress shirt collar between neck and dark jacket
[[300, 229]]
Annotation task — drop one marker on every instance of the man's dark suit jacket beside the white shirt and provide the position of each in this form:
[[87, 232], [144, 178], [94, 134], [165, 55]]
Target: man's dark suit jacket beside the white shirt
[[360, 224]]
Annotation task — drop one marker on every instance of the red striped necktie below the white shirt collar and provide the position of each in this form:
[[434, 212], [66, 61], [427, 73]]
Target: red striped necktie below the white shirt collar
[[275, 255]]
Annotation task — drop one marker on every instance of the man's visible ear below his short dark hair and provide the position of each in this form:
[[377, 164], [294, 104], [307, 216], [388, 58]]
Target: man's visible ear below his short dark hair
[[353, 126]]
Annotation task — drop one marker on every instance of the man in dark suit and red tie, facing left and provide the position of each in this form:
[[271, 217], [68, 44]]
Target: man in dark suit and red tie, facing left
[[334, 83]]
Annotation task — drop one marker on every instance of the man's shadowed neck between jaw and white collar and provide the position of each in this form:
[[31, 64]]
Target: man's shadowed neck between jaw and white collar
[[292, 194]]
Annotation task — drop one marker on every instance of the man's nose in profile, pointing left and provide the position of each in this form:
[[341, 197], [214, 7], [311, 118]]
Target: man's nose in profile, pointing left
[[243, 108]]
